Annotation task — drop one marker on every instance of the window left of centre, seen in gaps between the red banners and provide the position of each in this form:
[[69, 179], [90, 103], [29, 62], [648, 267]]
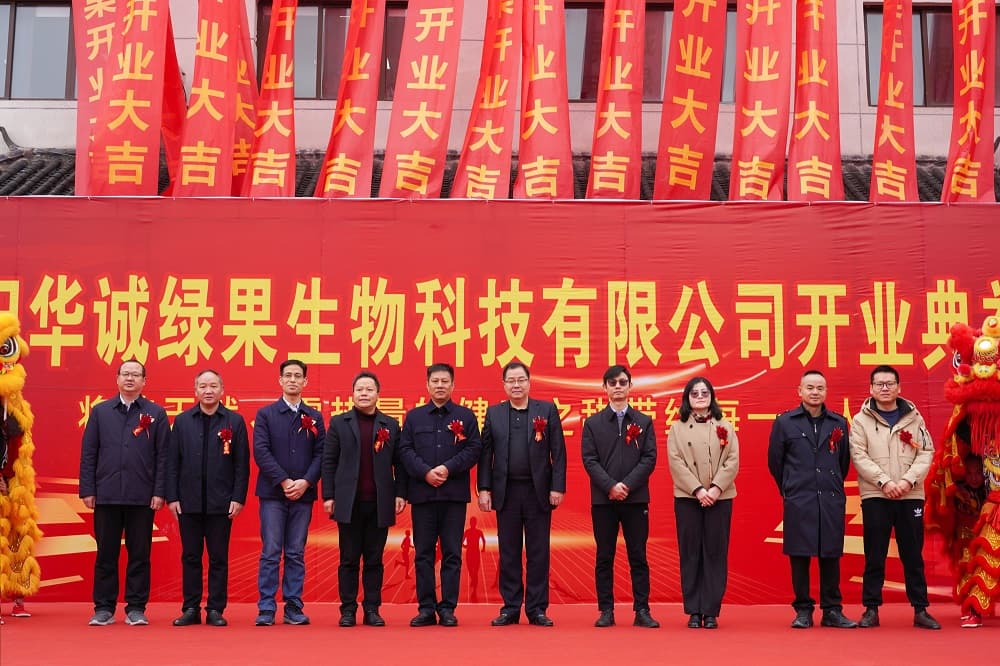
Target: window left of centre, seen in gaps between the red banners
[[320, 38]]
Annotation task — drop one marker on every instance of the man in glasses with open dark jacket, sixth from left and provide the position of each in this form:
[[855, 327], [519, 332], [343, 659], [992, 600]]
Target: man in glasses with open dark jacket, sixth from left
[[522, 476]]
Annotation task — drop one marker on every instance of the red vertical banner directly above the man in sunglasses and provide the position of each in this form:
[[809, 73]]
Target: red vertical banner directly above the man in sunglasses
[[616, 157]]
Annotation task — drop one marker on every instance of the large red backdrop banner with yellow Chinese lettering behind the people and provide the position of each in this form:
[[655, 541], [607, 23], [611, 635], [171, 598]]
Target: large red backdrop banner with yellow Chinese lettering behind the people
[[392, 286]]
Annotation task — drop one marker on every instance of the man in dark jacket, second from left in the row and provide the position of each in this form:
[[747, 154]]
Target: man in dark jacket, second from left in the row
[[208, 471]]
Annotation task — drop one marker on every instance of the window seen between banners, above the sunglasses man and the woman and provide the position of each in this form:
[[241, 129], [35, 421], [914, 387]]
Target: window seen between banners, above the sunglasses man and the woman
[[584, 24]]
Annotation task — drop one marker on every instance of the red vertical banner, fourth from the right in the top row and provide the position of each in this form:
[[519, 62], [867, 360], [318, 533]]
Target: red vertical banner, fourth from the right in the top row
[[764, 56]]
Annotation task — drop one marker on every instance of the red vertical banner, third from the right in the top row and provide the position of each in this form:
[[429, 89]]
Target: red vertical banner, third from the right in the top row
[[814, 168]]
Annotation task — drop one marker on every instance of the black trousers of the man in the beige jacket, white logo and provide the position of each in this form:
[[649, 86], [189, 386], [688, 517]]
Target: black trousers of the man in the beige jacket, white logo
[[906, 518]]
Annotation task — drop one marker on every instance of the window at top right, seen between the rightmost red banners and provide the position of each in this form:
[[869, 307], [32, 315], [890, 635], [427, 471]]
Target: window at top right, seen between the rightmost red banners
[[933, 68]]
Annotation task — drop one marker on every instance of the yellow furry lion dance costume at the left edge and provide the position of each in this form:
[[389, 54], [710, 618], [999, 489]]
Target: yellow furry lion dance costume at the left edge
[[19, 570]]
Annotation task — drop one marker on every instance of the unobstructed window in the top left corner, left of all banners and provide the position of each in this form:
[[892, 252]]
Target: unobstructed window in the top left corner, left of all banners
[[36, 50]]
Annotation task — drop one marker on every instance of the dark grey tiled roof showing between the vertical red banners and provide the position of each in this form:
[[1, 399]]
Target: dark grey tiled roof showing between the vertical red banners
[[36, 171]]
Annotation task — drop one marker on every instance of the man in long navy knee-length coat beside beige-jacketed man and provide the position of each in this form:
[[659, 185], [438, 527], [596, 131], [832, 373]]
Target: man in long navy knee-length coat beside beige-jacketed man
[[809, 456]]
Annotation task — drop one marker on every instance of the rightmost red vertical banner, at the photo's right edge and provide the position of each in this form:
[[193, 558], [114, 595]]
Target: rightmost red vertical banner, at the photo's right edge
[[969, 176]]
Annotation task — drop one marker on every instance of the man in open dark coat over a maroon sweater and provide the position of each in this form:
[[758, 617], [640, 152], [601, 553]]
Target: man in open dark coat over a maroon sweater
[[364, 487]]
